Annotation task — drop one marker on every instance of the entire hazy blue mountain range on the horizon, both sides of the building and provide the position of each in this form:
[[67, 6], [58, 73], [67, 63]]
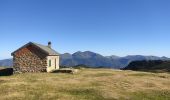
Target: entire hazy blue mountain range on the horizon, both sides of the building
[[95, 60]]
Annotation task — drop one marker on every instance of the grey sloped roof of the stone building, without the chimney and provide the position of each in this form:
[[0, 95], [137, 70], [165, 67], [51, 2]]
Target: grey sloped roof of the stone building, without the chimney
[[46, 49]]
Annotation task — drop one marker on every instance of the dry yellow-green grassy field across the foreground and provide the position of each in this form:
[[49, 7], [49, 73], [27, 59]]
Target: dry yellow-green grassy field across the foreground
[[87, 84]]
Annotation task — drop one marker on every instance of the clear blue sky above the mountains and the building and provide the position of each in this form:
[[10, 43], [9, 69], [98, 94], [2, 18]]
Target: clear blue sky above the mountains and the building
[[108, 27]]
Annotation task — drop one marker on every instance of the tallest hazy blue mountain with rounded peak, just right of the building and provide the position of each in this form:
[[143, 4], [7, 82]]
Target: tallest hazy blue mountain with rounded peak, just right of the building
[[86, 58]]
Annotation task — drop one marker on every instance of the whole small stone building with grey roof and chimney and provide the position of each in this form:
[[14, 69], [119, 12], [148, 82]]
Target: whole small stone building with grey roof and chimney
[[34, 57]]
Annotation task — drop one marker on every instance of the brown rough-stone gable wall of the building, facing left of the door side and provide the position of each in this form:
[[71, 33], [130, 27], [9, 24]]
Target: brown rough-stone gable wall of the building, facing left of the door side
[[30, 59]]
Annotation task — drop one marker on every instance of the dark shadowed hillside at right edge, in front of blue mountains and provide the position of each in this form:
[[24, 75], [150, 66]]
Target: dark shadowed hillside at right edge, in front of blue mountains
[[154, 66]]
